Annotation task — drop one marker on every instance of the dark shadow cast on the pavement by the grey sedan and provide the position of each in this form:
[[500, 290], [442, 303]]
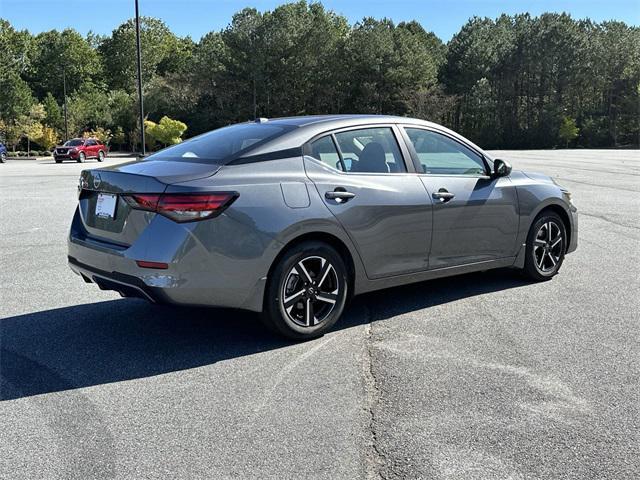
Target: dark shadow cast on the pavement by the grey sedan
[[112, 341]]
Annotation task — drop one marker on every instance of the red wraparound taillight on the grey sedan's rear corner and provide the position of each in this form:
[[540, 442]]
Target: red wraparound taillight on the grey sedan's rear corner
[[183, 207]]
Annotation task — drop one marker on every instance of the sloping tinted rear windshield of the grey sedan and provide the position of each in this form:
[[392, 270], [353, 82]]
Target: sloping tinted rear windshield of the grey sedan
[[222, 145]]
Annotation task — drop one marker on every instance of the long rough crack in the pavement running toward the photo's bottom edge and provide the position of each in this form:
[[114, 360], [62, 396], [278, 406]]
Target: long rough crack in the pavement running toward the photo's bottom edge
[[374, 458]]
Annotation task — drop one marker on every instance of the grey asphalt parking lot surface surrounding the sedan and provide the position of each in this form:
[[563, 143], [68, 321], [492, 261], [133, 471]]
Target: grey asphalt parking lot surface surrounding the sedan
[[472, 377]]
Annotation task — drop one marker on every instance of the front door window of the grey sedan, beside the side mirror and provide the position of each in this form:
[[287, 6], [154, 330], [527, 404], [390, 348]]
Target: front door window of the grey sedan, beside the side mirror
[[439, 154]]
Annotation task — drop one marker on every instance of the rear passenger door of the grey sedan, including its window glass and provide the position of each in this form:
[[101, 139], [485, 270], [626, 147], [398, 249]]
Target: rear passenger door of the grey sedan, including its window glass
[[362, 176]]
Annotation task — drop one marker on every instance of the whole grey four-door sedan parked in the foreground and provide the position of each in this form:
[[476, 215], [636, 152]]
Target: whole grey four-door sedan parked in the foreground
[[290, 217]]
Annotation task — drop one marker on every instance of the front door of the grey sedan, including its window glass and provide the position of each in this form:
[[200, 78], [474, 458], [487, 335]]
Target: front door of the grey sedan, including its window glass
[[475, 216]]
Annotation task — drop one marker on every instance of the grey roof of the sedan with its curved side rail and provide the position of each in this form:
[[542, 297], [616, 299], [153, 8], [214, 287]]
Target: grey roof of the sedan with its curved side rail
[[309, 126]]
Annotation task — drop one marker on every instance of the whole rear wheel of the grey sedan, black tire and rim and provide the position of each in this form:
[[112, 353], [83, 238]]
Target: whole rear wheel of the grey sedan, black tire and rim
[[313, 306]]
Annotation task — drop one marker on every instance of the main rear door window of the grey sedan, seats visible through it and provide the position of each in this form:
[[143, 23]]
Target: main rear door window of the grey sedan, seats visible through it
[[370, 150]]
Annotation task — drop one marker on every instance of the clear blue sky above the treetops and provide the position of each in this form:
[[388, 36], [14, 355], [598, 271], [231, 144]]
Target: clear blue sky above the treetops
[[198, 17]]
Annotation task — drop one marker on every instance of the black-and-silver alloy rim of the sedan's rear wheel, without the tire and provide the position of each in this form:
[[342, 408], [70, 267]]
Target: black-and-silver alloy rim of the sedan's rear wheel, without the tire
[[310, 291]]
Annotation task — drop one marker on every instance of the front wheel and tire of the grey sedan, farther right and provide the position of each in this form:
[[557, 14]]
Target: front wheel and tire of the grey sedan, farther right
[[545, 251]]
